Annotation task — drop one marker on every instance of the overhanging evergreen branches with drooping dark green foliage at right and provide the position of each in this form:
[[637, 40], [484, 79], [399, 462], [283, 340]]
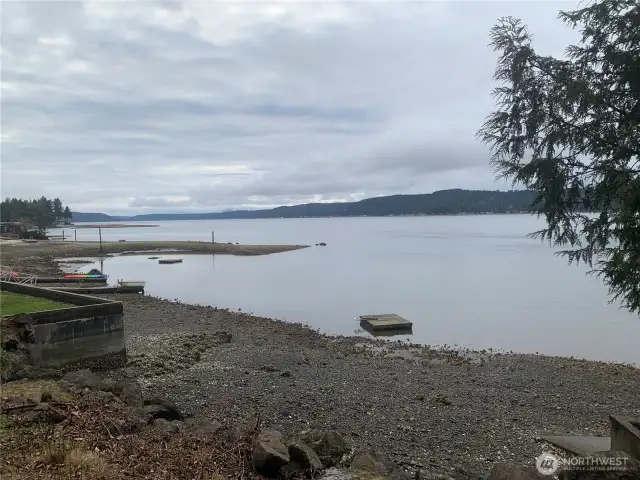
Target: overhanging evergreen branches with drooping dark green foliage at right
[[569, 129]]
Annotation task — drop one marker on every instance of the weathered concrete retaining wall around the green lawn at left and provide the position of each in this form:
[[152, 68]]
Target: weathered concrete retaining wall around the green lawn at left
[[89, 334]]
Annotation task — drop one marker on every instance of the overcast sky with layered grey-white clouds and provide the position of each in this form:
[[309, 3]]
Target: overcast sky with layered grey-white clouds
[[140, 106]]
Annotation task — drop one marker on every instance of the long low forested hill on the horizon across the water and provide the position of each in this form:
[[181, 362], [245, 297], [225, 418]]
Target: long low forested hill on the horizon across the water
[[443, 202]]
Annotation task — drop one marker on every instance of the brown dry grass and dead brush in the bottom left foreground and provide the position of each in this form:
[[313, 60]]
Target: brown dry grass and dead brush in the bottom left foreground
[[104, 442]]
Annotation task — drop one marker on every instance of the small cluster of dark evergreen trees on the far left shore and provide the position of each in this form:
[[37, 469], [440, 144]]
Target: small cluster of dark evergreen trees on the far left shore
[[37, 214]]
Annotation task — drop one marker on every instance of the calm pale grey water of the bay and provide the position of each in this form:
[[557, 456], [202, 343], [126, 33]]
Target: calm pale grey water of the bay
[[472, 281]]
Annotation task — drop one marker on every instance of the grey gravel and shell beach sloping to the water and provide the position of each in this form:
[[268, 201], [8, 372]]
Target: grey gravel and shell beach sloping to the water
[[441, 410]]
